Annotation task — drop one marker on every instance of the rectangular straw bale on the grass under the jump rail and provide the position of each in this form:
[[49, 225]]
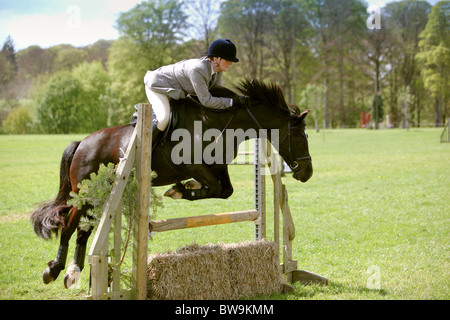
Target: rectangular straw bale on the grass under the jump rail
[[215, 272]]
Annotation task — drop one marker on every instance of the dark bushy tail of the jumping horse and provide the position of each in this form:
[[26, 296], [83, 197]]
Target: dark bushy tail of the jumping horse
[[49, 216]]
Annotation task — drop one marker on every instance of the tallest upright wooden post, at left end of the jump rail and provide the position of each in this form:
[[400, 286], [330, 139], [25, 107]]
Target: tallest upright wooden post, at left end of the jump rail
[[140, 226]]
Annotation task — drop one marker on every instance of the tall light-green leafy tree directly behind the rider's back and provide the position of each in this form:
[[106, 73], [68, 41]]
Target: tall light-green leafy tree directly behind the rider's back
[[150, 34]]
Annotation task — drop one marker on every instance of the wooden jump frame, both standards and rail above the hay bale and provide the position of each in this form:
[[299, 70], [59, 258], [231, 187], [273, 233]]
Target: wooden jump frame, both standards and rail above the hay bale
[[139, 153]]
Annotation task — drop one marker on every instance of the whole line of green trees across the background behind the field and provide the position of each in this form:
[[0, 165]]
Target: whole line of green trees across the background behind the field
[[331, 56]]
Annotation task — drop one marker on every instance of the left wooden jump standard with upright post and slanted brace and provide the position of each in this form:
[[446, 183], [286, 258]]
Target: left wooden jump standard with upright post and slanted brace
[[139, 149]]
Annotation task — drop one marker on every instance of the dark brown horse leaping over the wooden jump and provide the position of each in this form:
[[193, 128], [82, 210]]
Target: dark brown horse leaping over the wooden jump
[[264, 111]]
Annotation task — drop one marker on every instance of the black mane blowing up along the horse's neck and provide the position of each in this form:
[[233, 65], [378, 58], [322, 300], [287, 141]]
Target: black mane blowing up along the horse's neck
[[269, 94]]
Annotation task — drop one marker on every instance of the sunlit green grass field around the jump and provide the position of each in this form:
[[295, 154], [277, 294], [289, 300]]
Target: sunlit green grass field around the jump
[[373, 219]]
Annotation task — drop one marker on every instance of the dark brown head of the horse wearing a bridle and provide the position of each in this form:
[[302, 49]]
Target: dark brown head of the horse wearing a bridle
[[294, 147]]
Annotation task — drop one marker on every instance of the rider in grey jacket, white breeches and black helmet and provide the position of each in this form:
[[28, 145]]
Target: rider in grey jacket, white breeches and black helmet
[[189, 77]]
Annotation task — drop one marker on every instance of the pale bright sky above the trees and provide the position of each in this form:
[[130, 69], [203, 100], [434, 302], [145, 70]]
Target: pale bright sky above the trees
[[77, 22]]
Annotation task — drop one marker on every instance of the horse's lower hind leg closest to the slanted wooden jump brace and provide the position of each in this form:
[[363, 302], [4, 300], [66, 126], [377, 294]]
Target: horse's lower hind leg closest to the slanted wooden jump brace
[[73, 272]]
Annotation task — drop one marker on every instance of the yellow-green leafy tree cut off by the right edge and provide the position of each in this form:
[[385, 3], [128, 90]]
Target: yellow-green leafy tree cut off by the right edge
[[434, 56]]
